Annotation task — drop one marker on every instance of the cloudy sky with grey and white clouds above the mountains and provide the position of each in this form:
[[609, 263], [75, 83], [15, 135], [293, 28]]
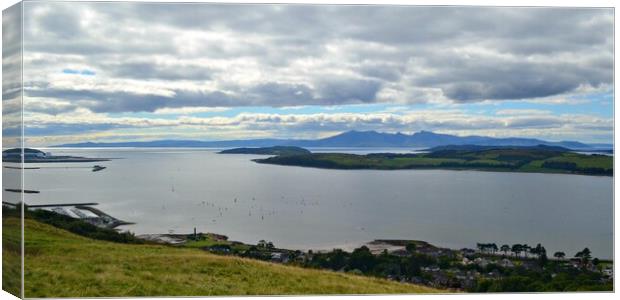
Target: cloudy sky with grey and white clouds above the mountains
[[139, 71]]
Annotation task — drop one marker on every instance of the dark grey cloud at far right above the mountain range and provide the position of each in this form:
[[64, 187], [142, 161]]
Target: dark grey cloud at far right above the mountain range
[[477, 78]]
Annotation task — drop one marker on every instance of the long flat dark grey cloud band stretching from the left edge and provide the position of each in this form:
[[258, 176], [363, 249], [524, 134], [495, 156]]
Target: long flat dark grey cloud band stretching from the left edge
[[269, 94]]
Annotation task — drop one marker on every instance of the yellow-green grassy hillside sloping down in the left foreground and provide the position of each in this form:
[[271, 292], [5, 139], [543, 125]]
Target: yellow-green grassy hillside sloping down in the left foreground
[[62, 264]]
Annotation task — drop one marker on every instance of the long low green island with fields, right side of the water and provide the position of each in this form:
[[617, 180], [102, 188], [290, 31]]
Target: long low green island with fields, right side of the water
[[536, 159]]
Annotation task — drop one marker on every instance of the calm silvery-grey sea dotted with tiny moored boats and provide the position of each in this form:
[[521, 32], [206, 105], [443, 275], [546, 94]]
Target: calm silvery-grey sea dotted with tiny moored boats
[[175, 190]]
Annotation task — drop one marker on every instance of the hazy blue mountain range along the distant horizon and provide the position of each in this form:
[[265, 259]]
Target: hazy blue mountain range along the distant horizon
[[422, 139]]
